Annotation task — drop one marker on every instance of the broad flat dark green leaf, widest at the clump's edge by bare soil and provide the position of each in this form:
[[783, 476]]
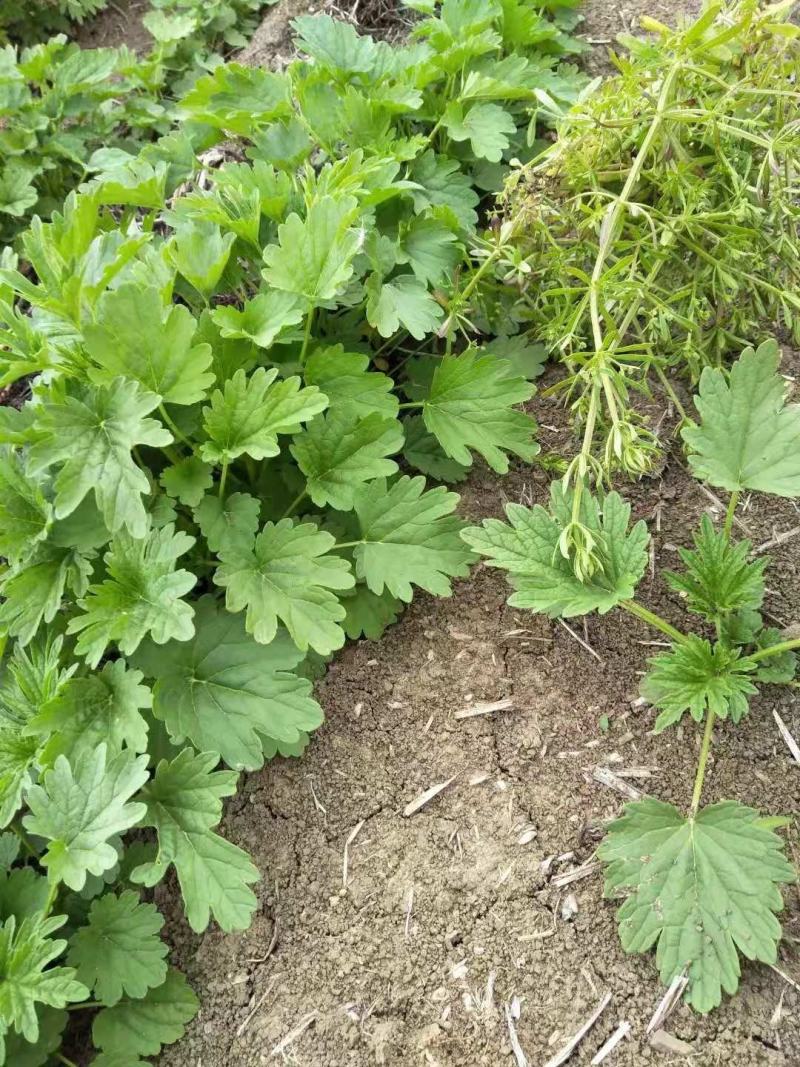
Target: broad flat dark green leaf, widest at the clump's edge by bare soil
[[226, 693]]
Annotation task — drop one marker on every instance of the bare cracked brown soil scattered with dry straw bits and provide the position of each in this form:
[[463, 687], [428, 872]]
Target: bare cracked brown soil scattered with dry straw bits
[[450, 915]]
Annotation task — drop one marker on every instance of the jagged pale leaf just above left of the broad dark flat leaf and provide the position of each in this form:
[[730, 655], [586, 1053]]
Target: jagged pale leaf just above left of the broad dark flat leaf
[[141, 596]]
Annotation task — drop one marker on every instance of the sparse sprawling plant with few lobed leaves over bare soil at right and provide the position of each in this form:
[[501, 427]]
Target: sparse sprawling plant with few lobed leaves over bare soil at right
[[703, 888]]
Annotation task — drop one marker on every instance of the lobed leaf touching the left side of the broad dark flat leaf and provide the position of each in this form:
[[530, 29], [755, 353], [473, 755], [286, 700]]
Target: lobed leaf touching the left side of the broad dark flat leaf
[[104, 708]]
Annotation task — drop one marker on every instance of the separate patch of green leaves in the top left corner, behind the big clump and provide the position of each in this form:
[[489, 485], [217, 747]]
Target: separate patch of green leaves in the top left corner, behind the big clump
[[66, 112]]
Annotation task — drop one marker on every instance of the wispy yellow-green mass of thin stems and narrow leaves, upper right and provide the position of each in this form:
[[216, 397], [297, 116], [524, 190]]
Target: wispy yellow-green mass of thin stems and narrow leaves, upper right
[[662, 231]]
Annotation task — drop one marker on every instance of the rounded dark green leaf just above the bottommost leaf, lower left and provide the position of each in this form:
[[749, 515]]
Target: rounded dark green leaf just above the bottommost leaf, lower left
[[119, 952]]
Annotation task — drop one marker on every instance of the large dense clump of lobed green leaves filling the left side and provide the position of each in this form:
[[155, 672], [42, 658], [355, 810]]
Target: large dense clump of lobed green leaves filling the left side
[[239, 378]]
